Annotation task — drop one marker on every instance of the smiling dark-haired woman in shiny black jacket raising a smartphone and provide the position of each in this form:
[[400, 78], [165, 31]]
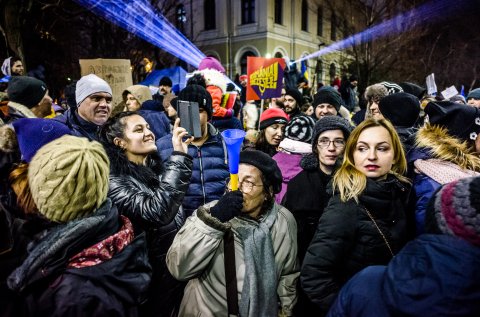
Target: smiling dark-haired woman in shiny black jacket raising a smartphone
[[150, 194]]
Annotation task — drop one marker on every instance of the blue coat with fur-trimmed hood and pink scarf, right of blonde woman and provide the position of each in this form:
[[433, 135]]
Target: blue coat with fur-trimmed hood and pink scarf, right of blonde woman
[[438, 158]]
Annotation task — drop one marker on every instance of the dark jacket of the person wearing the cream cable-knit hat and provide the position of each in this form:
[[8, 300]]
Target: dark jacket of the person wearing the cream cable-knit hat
[[115, 287]]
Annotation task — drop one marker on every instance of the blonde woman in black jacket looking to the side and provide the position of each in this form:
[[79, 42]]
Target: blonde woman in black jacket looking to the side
[[364, 222]]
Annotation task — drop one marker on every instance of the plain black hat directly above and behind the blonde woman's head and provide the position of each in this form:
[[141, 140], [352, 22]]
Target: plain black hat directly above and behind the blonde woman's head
[[401, 109]]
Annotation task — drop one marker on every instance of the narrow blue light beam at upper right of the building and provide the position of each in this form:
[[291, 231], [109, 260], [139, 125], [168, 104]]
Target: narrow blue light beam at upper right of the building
[[401, 23]]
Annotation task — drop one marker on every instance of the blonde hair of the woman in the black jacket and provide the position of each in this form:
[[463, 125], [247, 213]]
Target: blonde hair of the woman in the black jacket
[[349, 181]]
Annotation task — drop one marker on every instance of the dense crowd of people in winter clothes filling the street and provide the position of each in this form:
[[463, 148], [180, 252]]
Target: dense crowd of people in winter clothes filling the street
[[347, 204]]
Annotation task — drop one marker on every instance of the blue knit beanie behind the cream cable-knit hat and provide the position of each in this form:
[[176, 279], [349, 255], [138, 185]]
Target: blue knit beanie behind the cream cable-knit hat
[[33, 133]]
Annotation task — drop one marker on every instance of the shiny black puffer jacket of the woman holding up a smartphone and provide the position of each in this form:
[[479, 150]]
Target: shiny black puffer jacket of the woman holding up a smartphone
[[151, 196]]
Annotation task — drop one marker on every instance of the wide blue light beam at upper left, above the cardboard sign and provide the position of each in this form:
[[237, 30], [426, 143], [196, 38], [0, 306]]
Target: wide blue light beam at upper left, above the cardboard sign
[[139, 17]]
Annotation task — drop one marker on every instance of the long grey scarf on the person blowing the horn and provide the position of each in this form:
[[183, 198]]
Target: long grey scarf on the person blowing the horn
[[259, 293]]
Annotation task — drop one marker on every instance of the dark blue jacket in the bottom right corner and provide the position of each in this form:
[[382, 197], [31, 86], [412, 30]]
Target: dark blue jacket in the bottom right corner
[[434, 275]]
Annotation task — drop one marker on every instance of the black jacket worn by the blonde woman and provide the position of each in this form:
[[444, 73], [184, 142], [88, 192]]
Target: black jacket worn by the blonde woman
[[347, 240]]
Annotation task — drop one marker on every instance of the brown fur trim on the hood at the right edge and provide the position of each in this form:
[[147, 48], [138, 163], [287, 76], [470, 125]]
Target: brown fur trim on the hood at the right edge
[[443, 146]]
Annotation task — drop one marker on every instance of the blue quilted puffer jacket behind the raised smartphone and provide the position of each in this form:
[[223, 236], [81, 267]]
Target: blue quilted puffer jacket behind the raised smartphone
[[210, 169]]
